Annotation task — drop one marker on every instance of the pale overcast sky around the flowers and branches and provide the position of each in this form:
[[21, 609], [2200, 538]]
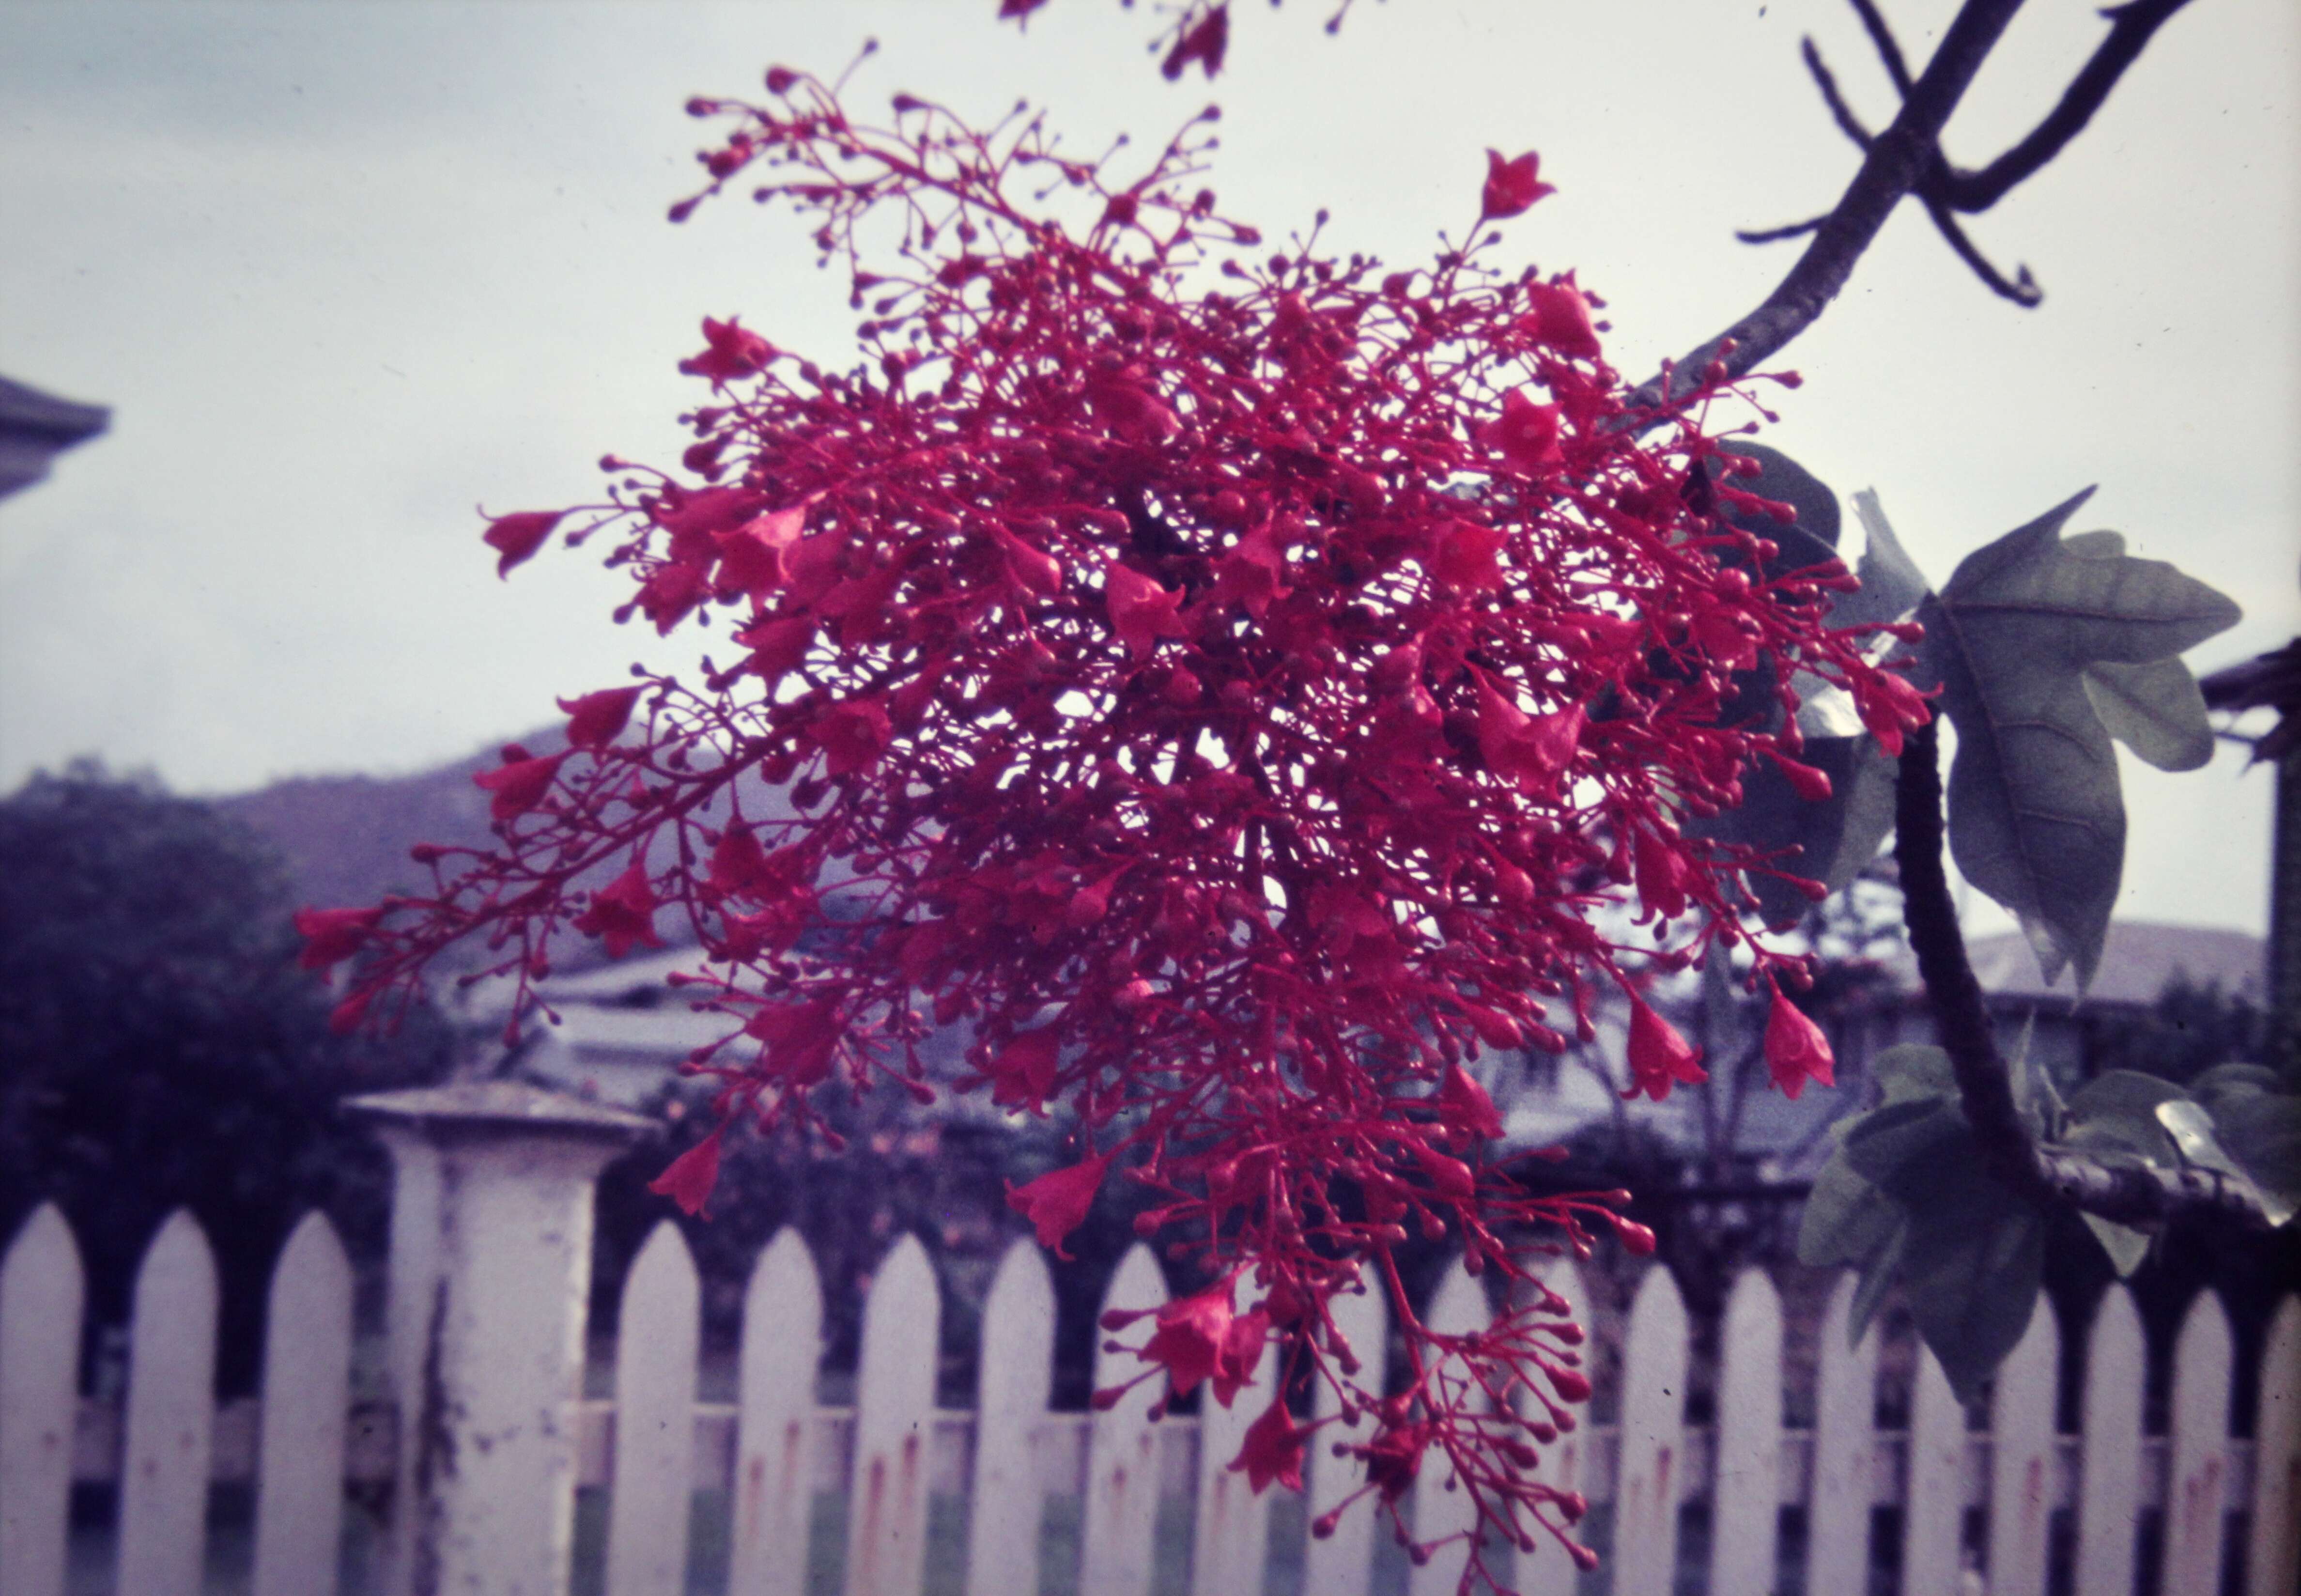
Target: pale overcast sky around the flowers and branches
[[349, 270]]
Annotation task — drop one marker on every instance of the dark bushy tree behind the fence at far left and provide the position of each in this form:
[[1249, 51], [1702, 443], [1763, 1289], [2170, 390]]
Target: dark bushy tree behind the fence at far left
[[162, 1050]]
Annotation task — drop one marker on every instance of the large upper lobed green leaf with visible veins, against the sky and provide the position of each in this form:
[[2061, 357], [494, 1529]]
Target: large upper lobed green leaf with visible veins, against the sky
[[2035, 808]]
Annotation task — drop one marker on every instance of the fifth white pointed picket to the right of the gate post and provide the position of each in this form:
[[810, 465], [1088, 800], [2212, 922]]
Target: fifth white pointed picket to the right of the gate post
[[1122, 1450]]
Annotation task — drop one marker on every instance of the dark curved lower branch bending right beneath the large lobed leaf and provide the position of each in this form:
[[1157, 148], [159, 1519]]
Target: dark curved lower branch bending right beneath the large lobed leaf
[[2130, 1195]]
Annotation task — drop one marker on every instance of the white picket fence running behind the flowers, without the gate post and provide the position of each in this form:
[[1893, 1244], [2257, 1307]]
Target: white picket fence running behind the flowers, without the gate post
[[777, 1448]]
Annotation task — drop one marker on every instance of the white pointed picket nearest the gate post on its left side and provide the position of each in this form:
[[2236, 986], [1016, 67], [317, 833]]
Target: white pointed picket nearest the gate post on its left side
[[307, 1395]]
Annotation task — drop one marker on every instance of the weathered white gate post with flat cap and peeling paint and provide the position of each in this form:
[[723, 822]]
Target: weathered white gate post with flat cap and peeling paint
[[491, 1273]]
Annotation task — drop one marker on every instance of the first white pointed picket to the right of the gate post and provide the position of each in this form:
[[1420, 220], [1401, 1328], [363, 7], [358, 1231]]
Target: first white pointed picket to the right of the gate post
[[655, 1420]]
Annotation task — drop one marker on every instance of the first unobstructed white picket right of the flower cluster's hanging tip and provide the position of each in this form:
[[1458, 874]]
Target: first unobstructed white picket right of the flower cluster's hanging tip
[[1653, 1438]]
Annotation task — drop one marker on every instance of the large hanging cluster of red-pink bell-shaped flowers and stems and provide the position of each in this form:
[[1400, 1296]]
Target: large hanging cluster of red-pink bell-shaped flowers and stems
[[1230, 682]]
